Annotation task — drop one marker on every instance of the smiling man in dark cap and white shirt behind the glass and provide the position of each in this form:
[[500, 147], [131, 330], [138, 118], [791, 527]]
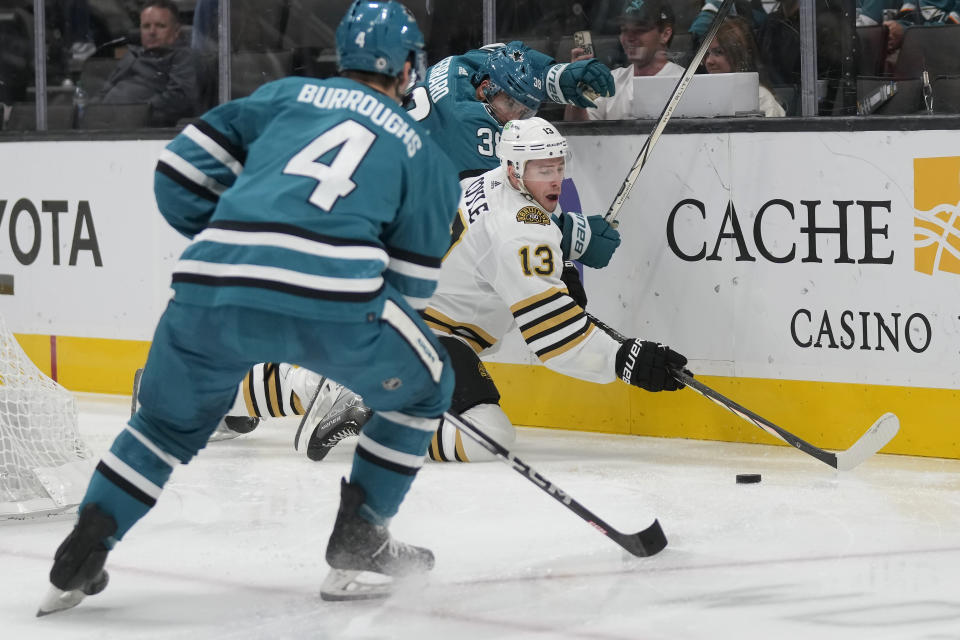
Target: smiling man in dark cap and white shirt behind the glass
[[646, 28]]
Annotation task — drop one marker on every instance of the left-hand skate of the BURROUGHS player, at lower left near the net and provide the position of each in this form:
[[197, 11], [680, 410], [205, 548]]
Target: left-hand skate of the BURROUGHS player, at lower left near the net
[[78, 563]]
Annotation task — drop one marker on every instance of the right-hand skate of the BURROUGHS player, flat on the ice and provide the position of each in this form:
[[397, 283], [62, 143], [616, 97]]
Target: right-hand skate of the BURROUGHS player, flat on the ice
[[363, 556]]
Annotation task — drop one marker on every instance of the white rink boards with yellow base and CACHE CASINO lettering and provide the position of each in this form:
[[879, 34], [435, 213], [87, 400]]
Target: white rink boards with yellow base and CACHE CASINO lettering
[[813, 277]]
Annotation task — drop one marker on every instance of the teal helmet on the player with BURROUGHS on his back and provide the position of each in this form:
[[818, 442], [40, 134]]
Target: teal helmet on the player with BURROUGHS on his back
[[379, 37]]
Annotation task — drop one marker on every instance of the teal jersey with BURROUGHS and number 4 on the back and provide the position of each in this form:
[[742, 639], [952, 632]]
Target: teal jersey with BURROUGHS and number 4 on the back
[[314, 198]]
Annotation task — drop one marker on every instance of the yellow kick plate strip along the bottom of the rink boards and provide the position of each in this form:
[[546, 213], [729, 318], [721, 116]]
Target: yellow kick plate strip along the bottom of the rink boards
[[831, 415]]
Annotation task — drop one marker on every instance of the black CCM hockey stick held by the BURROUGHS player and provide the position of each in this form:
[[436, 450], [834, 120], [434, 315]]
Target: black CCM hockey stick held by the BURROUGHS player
[[644, 543]]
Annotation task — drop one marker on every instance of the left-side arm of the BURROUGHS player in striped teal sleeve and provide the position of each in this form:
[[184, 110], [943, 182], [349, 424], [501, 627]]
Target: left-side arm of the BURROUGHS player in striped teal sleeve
[[205, 159]]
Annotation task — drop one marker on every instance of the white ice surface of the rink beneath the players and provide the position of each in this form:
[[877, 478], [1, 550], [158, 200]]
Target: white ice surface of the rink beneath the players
[[234, 548]]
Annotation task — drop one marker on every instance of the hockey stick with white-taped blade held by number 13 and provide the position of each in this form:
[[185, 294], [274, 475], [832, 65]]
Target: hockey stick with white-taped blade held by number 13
[[876, 437]]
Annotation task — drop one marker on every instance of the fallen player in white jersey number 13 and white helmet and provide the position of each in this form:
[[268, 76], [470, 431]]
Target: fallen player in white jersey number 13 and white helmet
[[504, 268]]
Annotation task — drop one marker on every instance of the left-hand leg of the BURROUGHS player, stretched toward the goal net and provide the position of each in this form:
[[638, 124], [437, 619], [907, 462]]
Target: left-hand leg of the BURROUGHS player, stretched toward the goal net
[[173, 422]]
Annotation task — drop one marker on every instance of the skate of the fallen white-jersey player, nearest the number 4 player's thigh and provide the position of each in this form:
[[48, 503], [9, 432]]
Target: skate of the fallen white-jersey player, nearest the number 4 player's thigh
[[336, 413]]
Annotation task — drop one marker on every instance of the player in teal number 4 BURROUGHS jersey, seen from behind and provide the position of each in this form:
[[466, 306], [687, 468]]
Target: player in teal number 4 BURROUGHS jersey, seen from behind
[[319, 212]]
